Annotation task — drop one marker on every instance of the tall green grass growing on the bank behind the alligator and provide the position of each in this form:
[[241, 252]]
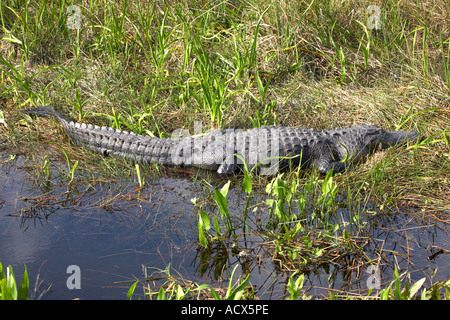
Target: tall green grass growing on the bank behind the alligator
[[211, 58]]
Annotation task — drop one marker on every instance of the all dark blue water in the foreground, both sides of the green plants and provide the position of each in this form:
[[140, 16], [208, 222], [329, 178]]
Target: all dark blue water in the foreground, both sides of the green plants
[[112, 229]]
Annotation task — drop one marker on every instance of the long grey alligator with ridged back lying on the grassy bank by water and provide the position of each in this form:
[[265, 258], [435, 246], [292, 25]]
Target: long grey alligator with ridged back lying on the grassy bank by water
[[267, 149]]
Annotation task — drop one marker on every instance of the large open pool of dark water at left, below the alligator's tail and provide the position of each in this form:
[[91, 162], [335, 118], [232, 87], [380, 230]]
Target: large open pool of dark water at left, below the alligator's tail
[[109, 239]]
